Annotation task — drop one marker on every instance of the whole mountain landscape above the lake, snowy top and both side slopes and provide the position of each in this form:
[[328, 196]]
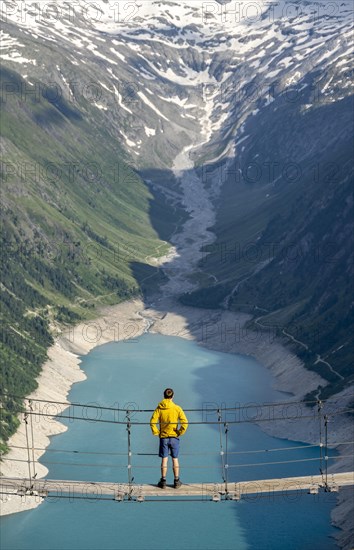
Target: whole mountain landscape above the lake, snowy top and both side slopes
[[238, 118]]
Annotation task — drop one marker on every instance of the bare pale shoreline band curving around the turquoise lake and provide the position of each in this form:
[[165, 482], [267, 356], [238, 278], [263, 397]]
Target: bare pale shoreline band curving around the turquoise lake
[[217, 330]]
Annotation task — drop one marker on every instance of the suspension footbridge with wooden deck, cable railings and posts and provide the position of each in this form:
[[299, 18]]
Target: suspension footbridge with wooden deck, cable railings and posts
[[225, 487]]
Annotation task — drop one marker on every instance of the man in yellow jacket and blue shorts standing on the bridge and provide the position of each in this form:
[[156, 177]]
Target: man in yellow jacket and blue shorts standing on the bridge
[[168, 415]]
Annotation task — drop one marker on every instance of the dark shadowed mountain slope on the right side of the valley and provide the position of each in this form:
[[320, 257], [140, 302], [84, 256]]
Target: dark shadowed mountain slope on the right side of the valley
[[298, 266]]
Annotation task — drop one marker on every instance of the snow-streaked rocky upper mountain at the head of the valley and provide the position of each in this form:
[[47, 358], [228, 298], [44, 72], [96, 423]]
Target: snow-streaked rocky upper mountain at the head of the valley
[[167, 75]]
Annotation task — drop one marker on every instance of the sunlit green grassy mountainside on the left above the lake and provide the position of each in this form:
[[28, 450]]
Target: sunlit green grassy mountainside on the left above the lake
[[75, 224]]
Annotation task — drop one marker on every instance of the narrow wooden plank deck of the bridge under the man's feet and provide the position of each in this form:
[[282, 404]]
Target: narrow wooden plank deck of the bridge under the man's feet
[[208, 491]]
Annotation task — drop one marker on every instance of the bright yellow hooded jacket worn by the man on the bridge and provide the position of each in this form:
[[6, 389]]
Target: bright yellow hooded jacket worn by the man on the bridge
[[168, 415]]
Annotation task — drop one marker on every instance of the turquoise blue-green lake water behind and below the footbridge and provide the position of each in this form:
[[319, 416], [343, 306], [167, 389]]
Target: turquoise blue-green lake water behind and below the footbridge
[[135, 373]]
